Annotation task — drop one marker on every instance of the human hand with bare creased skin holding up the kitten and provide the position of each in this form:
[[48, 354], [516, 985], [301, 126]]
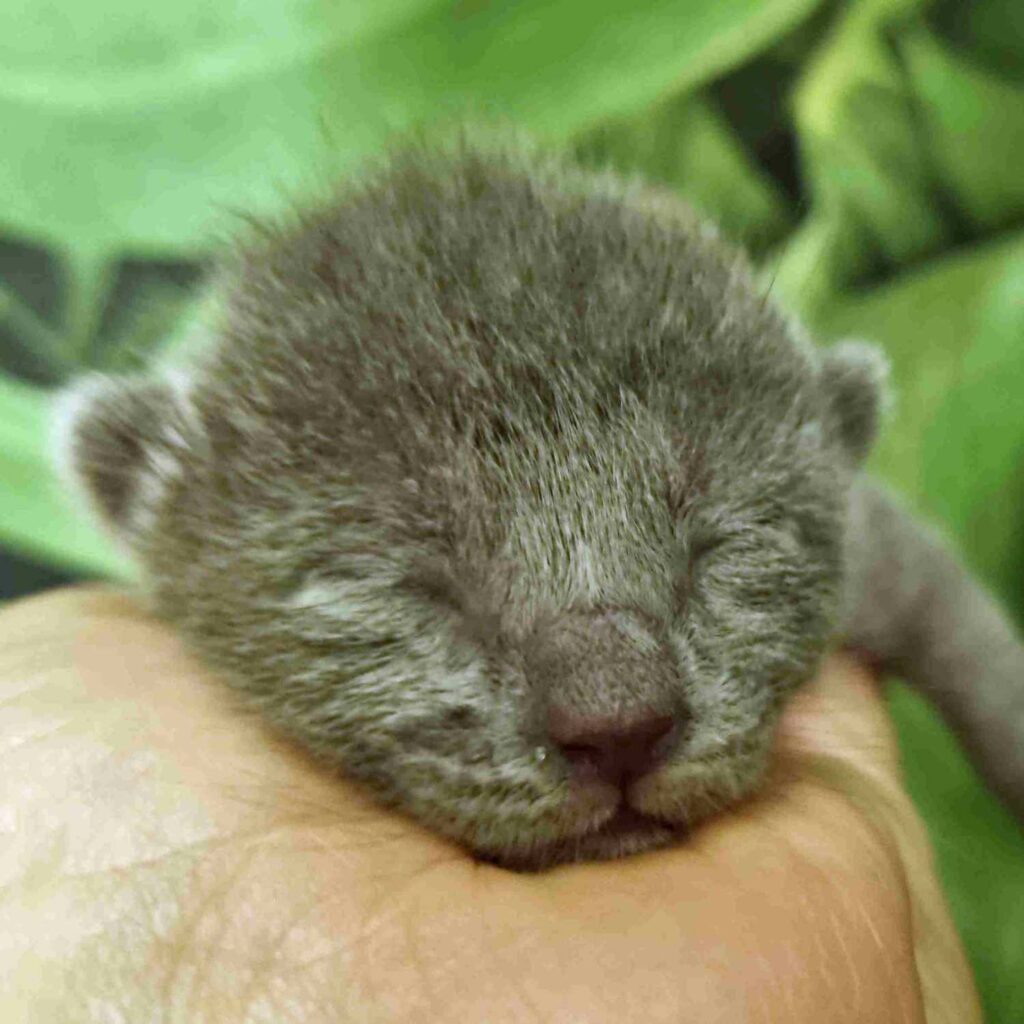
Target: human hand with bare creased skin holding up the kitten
[[165, 858]]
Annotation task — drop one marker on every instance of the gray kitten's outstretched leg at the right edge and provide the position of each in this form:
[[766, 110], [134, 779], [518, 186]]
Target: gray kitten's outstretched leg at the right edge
[[911, 606]]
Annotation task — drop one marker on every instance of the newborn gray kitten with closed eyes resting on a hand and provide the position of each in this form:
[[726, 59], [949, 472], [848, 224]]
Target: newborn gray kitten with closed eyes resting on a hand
[[505, 490]]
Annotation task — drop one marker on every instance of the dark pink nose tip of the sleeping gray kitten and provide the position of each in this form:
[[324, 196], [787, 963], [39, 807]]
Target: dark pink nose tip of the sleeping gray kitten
[[611, 748]]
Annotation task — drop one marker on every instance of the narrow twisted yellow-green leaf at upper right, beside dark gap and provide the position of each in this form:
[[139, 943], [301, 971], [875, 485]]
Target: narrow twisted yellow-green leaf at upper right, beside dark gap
[[872, 186]]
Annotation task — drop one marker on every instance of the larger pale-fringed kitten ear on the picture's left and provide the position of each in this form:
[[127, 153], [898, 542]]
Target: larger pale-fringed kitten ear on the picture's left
[[119, 441]]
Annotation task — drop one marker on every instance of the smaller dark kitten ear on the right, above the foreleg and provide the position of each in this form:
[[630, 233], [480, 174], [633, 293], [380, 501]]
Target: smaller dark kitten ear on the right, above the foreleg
[[856, 377]]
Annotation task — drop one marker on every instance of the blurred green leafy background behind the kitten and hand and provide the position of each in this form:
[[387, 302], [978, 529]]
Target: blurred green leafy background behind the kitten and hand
[[871, 154]]
